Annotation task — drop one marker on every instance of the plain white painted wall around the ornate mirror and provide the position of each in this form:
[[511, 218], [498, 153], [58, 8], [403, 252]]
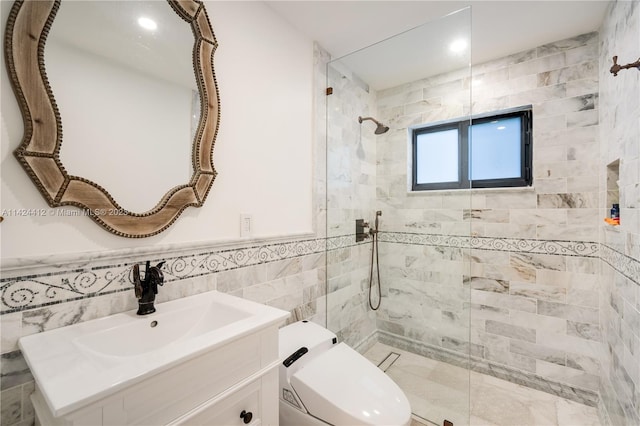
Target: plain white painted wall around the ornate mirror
[[263, 153]]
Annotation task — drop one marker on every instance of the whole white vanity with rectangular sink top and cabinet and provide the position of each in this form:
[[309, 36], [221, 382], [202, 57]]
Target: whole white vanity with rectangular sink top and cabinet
[[207, 359]]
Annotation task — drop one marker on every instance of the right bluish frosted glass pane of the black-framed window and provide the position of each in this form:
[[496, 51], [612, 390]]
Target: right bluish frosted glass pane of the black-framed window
[[495, 149]]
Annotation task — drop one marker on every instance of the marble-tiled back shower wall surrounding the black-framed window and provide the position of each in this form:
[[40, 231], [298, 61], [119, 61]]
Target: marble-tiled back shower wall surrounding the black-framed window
[[528, 277]]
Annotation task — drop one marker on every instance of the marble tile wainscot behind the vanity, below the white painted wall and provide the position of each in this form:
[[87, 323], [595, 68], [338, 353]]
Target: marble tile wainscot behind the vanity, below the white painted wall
[[289, 275]]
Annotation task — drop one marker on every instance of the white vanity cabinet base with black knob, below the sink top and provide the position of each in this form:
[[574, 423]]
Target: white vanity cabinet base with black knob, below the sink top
[[215, 388]]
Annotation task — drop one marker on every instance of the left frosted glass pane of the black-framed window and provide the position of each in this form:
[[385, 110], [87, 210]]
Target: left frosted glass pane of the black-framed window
[[437, 157]]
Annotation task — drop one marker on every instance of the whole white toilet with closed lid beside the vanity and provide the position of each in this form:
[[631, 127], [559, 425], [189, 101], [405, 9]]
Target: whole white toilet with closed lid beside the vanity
[[325, 382]]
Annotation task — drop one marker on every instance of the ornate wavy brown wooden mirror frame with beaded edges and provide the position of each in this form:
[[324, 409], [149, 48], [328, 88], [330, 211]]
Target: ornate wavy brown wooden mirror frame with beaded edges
[[27, 28]]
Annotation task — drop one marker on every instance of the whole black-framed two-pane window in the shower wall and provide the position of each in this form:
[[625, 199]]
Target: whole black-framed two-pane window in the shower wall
[[489, 151]]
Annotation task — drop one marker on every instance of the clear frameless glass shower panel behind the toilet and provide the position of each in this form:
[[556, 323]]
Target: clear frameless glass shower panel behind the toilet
[[420, 334]]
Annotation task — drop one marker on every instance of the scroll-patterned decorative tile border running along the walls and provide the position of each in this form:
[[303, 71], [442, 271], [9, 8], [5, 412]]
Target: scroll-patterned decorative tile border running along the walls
[[26, 291]]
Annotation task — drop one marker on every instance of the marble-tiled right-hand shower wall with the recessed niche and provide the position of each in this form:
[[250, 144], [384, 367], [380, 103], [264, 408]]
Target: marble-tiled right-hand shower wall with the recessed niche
[[620, 249]]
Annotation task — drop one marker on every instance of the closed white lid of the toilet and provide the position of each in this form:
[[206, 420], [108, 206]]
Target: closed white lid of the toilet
[[341, 387]]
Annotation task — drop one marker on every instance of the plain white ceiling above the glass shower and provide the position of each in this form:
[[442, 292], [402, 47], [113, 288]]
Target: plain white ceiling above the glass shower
[[497, 28]]
